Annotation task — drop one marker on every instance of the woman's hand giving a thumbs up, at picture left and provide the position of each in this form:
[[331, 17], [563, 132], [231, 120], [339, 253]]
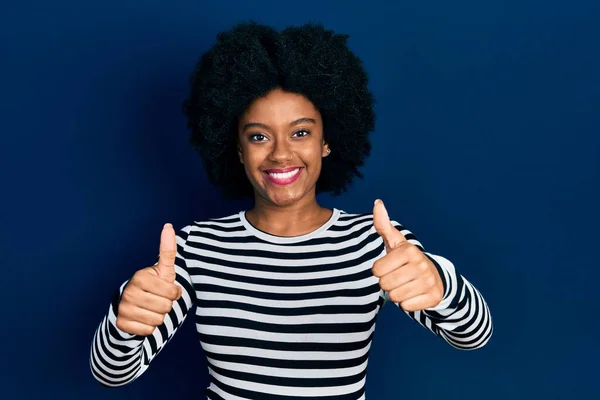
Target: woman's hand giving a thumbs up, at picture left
[[149, 294]]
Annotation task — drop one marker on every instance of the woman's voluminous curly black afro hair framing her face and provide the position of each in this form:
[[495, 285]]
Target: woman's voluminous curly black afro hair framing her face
[[250, 60]]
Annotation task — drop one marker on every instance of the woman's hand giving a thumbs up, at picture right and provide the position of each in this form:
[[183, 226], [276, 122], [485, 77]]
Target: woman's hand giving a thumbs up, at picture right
[[408, 275]]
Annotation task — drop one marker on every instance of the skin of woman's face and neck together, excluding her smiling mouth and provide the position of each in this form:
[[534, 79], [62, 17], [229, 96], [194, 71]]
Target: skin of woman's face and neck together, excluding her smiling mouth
[[277, 131]]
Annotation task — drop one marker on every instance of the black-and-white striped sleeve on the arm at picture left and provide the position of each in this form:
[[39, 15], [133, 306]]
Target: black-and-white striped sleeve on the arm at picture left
[[118, 358]]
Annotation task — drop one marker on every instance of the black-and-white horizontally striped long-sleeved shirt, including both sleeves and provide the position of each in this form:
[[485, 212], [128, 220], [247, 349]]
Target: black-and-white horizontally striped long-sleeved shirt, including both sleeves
[[284, 317]]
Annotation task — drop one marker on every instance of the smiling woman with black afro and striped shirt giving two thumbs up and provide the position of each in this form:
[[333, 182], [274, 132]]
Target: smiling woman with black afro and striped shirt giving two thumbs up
[[285, 294]]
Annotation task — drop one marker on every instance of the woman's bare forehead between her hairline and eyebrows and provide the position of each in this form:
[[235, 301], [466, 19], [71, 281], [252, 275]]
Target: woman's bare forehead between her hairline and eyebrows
[[282, 106]]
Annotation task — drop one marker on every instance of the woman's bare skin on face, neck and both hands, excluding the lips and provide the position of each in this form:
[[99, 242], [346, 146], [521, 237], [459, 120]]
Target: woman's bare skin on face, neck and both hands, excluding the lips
[[277, 131]]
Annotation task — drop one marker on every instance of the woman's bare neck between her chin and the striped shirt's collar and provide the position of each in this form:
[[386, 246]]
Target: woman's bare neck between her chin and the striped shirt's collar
[[296, 219]]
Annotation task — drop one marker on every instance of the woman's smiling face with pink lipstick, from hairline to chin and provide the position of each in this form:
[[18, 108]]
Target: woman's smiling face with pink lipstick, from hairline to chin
[[281, 146]]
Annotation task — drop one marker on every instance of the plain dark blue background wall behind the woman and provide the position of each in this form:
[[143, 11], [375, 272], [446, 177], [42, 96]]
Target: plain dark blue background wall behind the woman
[[486, 147]]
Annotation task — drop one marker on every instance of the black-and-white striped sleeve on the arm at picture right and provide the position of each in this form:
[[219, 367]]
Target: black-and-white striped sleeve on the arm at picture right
[[462, 318]]
